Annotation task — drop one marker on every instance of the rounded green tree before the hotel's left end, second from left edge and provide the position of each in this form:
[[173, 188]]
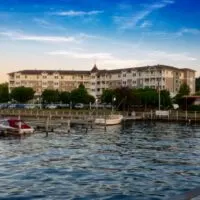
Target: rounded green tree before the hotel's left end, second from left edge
[[22, 94]]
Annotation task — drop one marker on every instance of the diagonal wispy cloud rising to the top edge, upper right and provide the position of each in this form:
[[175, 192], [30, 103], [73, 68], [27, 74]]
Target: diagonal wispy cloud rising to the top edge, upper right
[[129, 22]]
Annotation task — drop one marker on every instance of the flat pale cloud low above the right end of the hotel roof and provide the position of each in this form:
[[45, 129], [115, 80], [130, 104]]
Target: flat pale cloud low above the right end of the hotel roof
[[171, 56]]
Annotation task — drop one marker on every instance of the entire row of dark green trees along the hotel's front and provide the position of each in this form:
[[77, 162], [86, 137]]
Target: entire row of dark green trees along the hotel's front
[[122, 98]]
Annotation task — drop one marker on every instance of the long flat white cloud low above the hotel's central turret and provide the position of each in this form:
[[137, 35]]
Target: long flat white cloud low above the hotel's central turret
[[82, 55]]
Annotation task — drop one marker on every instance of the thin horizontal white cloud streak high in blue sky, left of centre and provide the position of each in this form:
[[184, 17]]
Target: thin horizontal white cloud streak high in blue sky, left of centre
[[72, 13]]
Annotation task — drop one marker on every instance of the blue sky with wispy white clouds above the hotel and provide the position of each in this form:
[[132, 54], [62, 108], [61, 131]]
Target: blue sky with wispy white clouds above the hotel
[[76, 34]]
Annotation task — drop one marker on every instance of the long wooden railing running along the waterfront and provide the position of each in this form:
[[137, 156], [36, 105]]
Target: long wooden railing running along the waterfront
[[188, 116]]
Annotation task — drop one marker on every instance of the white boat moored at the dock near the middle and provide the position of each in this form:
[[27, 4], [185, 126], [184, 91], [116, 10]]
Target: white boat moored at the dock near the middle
[[109, 120]]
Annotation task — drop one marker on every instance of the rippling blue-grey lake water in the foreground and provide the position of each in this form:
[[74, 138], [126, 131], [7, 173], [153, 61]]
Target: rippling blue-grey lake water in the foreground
[[139, 161]]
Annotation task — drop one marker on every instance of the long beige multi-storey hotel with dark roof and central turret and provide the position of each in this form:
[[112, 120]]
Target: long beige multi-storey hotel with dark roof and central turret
[[95, 81]]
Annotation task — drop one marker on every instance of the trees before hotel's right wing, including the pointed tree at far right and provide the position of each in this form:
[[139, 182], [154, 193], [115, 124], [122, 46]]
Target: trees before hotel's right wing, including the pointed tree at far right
[[147, 98]]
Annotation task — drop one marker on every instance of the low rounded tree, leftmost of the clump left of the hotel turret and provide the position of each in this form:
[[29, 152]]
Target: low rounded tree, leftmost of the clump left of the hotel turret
[[50, 96]]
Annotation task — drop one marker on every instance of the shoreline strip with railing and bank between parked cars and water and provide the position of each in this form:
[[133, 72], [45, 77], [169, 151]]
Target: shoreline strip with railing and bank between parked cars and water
[[190, 117]]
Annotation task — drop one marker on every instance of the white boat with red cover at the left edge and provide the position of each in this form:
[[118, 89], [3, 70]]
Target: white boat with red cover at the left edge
[[14, 127]]
